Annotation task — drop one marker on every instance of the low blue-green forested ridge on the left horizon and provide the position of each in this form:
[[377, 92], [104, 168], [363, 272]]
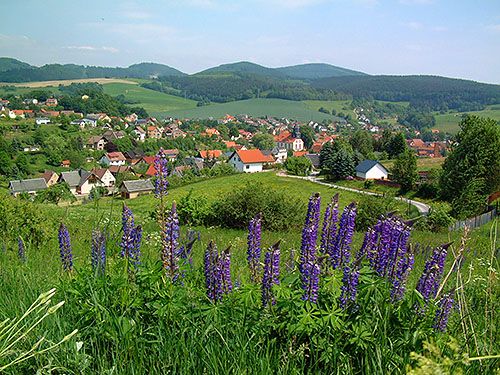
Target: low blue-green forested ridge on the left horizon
[[12, 70]]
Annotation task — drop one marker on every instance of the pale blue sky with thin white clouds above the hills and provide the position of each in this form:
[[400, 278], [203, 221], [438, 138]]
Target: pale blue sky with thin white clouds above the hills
[[452, 38]]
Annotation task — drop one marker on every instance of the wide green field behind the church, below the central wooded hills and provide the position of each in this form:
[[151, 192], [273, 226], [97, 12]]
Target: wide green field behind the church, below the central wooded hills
[[254, 107]]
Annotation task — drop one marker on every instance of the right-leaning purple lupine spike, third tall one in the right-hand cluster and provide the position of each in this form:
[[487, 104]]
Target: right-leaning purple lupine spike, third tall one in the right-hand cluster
[[340, 252]]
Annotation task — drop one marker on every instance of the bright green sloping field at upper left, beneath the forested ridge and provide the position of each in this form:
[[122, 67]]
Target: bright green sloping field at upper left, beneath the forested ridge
[[152, 101]]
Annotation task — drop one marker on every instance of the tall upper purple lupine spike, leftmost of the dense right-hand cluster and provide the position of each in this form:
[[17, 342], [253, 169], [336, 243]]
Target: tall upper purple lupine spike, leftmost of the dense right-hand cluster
[[310, 231]]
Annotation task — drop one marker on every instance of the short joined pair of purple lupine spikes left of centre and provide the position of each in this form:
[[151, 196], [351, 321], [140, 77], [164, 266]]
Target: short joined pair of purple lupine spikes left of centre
[[217, 272]]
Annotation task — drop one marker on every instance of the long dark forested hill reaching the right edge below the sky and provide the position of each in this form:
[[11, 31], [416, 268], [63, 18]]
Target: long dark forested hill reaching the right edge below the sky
[[424, 92]]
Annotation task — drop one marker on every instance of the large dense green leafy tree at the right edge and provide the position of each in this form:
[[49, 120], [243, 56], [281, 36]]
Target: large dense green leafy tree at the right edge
[[473, 160]]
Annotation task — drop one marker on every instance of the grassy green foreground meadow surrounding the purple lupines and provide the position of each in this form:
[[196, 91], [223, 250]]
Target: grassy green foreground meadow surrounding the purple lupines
[[139, 321]]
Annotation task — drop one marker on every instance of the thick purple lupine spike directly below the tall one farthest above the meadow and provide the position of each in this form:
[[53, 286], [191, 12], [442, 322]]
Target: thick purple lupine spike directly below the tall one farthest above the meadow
[[170, 244]]
